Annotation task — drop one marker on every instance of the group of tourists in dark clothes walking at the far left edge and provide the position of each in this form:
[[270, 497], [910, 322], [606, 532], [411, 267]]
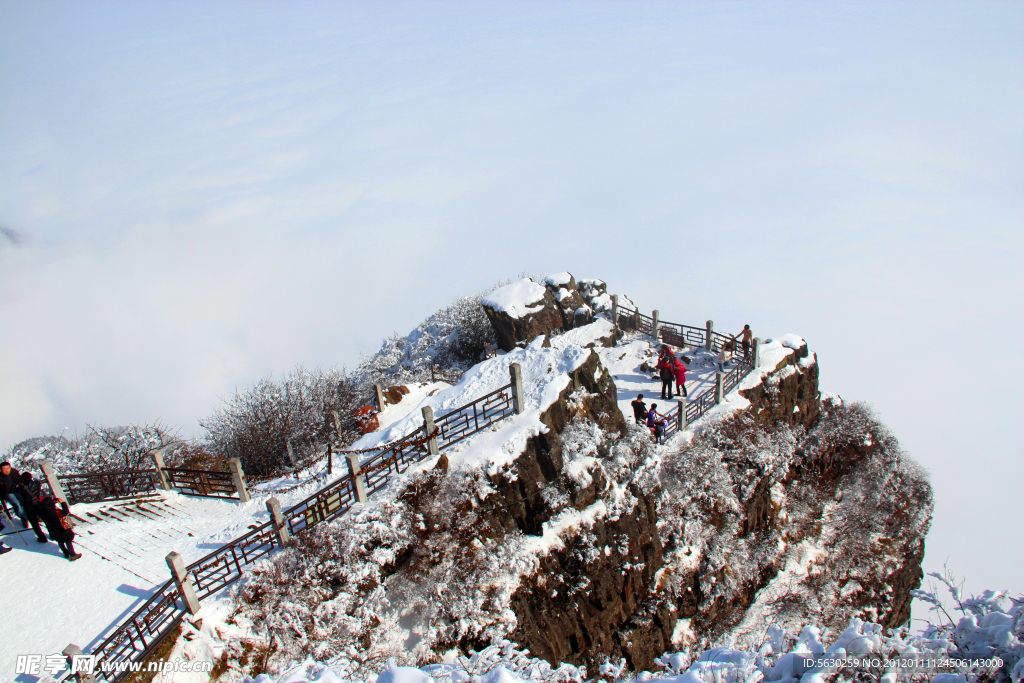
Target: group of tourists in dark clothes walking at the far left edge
[[24, 496]]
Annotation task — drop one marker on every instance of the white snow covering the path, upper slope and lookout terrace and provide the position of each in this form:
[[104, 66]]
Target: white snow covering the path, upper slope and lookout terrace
[[124, 559]]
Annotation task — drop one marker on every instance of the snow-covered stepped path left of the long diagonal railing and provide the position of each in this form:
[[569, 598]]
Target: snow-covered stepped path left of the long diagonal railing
[[48, 603]]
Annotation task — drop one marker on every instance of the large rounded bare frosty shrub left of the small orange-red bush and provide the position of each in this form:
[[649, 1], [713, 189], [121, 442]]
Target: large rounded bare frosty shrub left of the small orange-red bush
[[258, 424]]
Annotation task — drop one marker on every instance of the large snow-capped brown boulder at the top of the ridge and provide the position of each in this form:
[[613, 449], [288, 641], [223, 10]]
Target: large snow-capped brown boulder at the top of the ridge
[[522, 312]]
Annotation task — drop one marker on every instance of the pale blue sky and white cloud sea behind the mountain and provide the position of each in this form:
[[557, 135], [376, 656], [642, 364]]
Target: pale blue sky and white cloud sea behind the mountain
[[209, 193]]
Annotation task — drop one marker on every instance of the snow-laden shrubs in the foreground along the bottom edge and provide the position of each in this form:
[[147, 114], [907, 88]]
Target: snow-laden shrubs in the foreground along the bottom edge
[[986, 645]]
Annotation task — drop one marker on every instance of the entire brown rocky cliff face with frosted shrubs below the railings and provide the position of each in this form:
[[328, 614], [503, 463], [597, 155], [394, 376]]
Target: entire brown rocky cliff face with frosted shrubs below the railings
[[593, 545]]
